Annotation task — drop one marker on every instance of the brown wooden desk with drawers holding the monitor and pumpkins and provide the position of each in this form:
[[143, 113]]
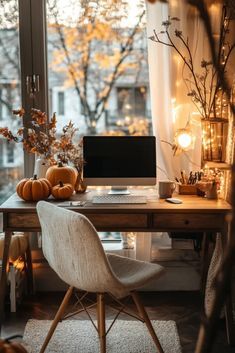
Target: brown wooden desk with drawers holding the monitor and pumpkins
[[194, 214]]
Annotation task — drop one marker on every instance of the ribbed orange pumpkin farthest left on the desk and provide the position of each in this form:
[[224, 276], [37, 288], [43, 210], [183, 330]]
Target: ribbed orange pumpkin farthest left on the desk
[[33, 189]]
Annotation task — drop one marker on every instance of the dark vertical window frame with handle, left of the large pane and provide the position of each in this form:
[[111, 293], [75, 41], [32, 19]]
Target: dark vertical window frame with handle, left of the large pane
[[33, 61]]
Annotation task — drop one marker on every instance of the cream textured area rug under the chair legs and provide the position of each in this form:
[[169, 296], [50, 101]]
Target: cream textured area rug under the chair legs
[[77, 336]]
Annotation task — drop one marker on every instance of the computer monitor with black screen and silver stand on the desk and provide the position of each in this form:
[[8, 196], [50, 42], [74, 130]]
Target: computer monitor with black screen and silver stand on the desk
[[119, 161]]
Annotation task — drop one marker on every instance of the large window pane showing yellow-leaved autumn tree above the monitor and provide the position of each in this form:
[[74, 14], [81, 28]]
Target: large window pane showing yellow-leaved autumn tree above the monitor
[[97, 55]]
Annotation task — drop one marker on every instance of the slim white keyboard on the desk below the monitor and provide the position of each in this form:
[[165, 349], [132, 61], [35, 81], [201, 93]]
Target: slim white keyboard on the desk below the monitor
[[124, 199]]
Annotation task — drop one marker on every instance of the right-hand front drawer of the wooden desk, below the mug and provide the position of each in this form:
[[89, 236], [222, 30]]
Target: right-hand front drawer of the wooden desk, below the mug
[[188, 222]]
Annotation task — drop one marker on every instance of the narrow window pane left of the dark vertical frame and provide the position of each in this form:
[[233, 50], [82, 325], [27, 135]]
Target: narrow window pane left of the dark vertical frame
[[11, 153]]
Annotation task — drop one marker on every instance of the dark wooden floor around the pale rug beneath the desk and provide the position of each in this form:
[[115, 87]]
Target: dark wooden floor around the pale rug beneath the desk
[[183, 307]]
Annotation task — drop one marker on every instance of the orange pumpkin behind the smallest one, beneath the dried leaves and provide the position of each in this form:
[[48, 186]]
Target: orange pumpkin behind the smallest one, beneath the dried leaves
[[57, 173]]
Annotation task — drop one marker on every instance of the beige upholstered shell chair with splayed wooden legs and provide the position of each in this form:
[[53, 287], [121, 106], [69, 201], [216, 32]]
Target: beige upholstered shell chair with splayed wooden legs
[[73, 249]]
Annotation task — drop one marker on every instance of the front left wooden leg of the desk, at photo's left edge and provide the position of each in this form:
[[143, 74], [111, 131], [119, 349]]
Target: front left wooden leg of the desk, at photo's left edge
[[3, 280]]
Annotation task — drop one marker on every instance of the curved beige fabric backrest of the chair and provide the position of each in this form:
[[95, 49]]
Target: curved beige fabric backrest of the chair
[[73, 249]]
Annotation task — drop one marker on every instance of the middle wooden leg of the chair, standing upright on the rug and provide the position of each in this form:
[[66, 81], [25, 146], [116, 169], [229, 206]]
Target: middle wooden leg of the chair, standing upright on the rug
[[101, 321]]
